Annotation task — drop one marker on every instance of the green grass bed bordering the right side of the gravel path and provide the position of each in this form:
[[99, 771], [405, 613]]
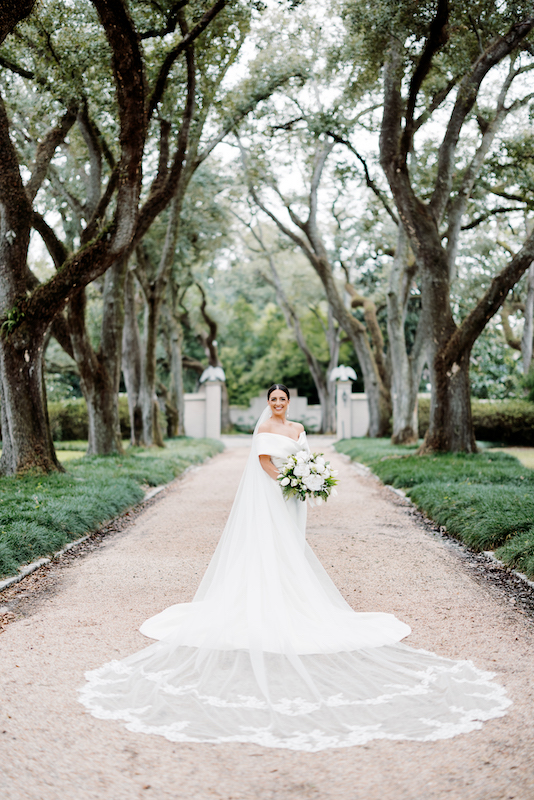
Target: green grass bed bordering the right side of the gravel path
[[486, 500]]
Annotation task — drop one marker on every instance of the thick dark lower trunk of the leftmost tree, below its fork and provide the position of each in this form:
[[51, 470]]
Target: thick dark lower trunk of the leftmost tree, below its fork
[[26, 440]]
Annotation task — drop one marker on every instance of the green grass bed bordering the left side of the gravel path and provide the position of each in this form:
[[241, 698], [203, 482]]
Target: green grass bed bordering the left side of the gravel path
[[39, 514]]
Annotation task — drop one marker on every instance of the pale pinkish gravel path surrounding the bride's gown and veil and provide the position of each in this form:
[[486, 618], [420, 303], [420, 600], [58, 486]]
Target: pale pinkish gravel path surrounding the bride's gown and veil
[[381, 557]]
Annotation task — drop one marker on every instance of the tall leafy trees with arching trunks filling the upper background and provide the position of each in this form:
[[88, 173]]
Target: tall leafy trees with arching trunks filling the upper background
[[268, 187]]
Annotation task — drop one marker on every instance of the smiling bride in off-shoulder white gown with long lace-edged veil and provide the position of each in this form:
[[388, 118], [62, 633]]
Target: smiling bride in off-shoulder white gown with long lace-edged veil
[[270, 653]]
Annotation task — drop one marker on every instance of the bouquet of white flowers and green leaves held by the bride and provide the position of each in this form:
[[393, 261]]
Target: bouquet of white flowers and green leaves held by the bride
[[308, 475]]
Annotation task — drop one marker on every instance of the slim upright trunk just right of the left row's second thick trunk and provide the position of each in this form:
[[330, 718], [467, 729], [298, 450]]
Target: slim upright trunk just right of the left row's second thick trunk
[[131, 360]]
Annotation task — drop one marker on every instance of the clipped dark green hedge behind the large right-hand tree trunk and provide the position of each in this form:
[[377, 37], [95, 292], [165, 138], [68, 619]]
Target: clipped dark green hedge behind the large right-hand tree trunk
[[505, 421]]
